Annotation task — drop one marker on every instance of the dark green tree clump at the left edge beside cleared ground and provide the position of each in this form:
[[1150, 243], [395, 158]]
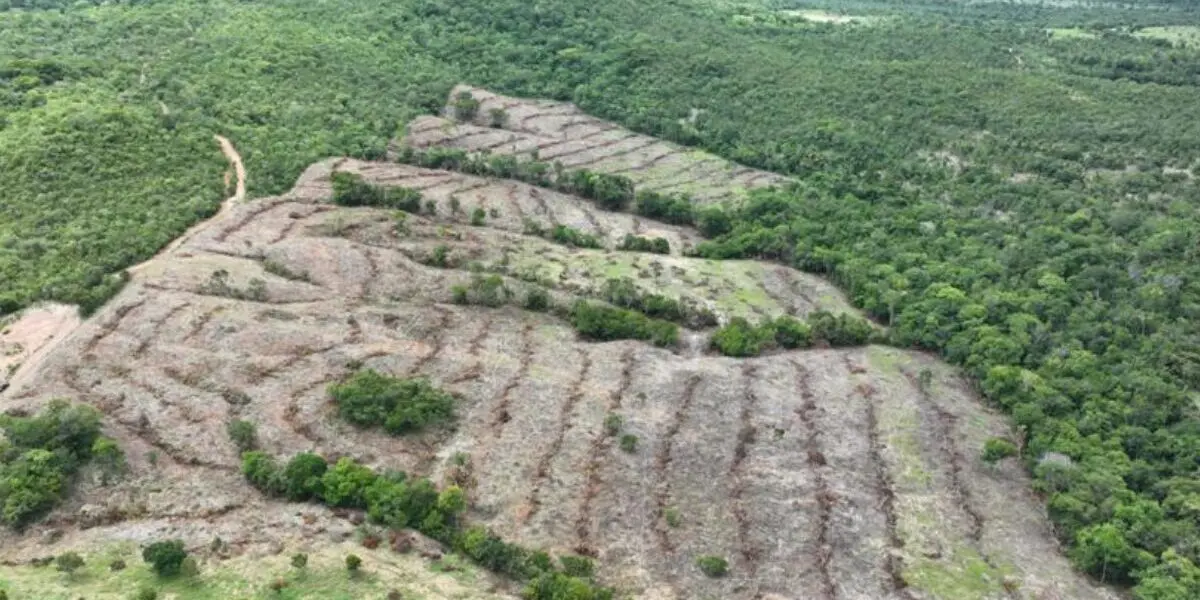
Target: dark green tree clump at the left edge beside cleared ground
[[40, 454]]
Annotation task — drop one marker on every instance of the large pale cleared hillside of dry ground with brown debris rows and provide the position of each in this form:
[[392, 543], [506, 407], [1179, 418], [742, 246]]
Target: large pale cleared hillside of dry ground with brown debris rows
[[819, 475]]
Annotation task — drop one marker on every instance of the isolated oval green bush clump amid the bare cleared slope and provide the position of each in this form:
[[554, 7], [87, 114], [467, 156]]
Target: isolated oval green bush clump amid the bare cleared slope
[[400, 406]]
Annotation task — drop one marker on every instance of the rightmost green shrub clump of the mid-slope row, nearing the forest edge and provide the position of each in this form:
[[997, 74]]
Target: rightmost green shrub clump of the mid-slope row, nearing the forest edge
[[742, 339]]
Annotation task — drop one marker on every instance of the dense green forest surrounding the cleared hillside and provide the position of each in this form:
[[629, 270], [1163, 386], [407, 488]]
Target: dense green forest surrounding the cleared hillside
[[1010, 184]]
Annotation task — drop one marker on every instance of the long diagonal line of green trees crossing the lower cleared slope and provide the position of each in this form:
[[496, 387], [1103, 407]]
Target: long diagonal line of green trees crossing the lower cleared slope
[[395, 501]]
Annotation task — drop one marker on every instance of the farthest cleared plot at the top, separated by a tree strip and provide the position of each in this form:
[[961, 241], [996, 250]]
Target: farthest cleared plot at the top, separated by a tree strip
[[561, 133]]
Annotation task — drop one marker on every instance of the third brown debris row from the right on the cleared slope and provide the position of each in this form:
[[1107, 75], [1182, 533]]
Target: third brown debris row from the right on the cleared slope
[[815, 460]]
